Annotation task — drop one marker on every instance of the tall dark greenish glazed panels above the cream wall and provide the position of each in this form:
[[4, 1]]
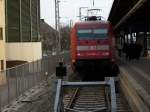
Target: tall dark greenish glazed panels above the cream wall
[[23, 20]]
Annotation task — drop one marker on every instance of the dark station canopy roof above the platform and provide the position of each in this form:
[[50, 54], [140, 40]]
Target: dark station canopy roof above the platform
[[130, 15]]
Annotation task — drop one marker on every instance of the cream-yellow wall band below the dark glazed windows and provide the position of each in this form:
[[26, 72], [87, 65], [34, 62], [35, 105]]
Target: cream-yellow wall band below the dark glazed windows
[[27, 51]]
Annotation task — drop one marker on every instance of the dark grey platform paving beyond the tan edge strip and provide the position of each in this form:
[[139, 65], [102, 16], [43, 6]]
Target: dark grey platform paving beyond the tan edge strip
[[139, 70]]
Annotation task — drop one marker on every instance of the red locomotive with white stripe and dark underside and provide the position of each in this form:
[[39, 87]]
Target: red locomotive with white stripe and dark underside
[[93, 48]]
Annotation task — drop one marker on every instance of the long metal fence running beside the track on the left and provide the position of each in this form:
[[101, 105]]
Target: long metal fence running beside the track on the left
[[15, 81]]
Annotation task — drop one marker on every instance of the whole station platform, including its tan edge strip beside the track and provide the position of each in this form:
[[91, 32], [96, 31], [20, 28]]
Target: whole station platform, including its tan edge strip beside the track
[[135, 80]]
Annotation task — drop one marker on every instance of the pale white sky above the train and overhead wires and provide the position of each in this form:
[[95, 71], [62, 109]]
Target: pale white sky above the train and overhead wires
[[69, 9]]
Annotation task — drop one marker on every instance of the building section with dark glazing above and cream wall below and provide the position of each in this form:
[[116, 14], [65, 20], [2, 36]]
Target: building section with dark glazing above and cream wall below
[[22, 31]]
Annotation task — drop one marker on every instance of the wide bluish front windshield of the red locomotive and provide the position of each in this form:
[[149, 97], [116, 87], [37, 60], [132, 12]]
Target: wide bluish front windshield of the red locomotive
[[92, 33]]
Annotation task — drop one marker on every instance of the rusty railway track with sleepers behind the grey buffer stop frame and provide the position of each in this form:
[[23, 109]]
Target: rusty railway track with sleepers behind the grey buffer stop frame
[[93, 99]]
